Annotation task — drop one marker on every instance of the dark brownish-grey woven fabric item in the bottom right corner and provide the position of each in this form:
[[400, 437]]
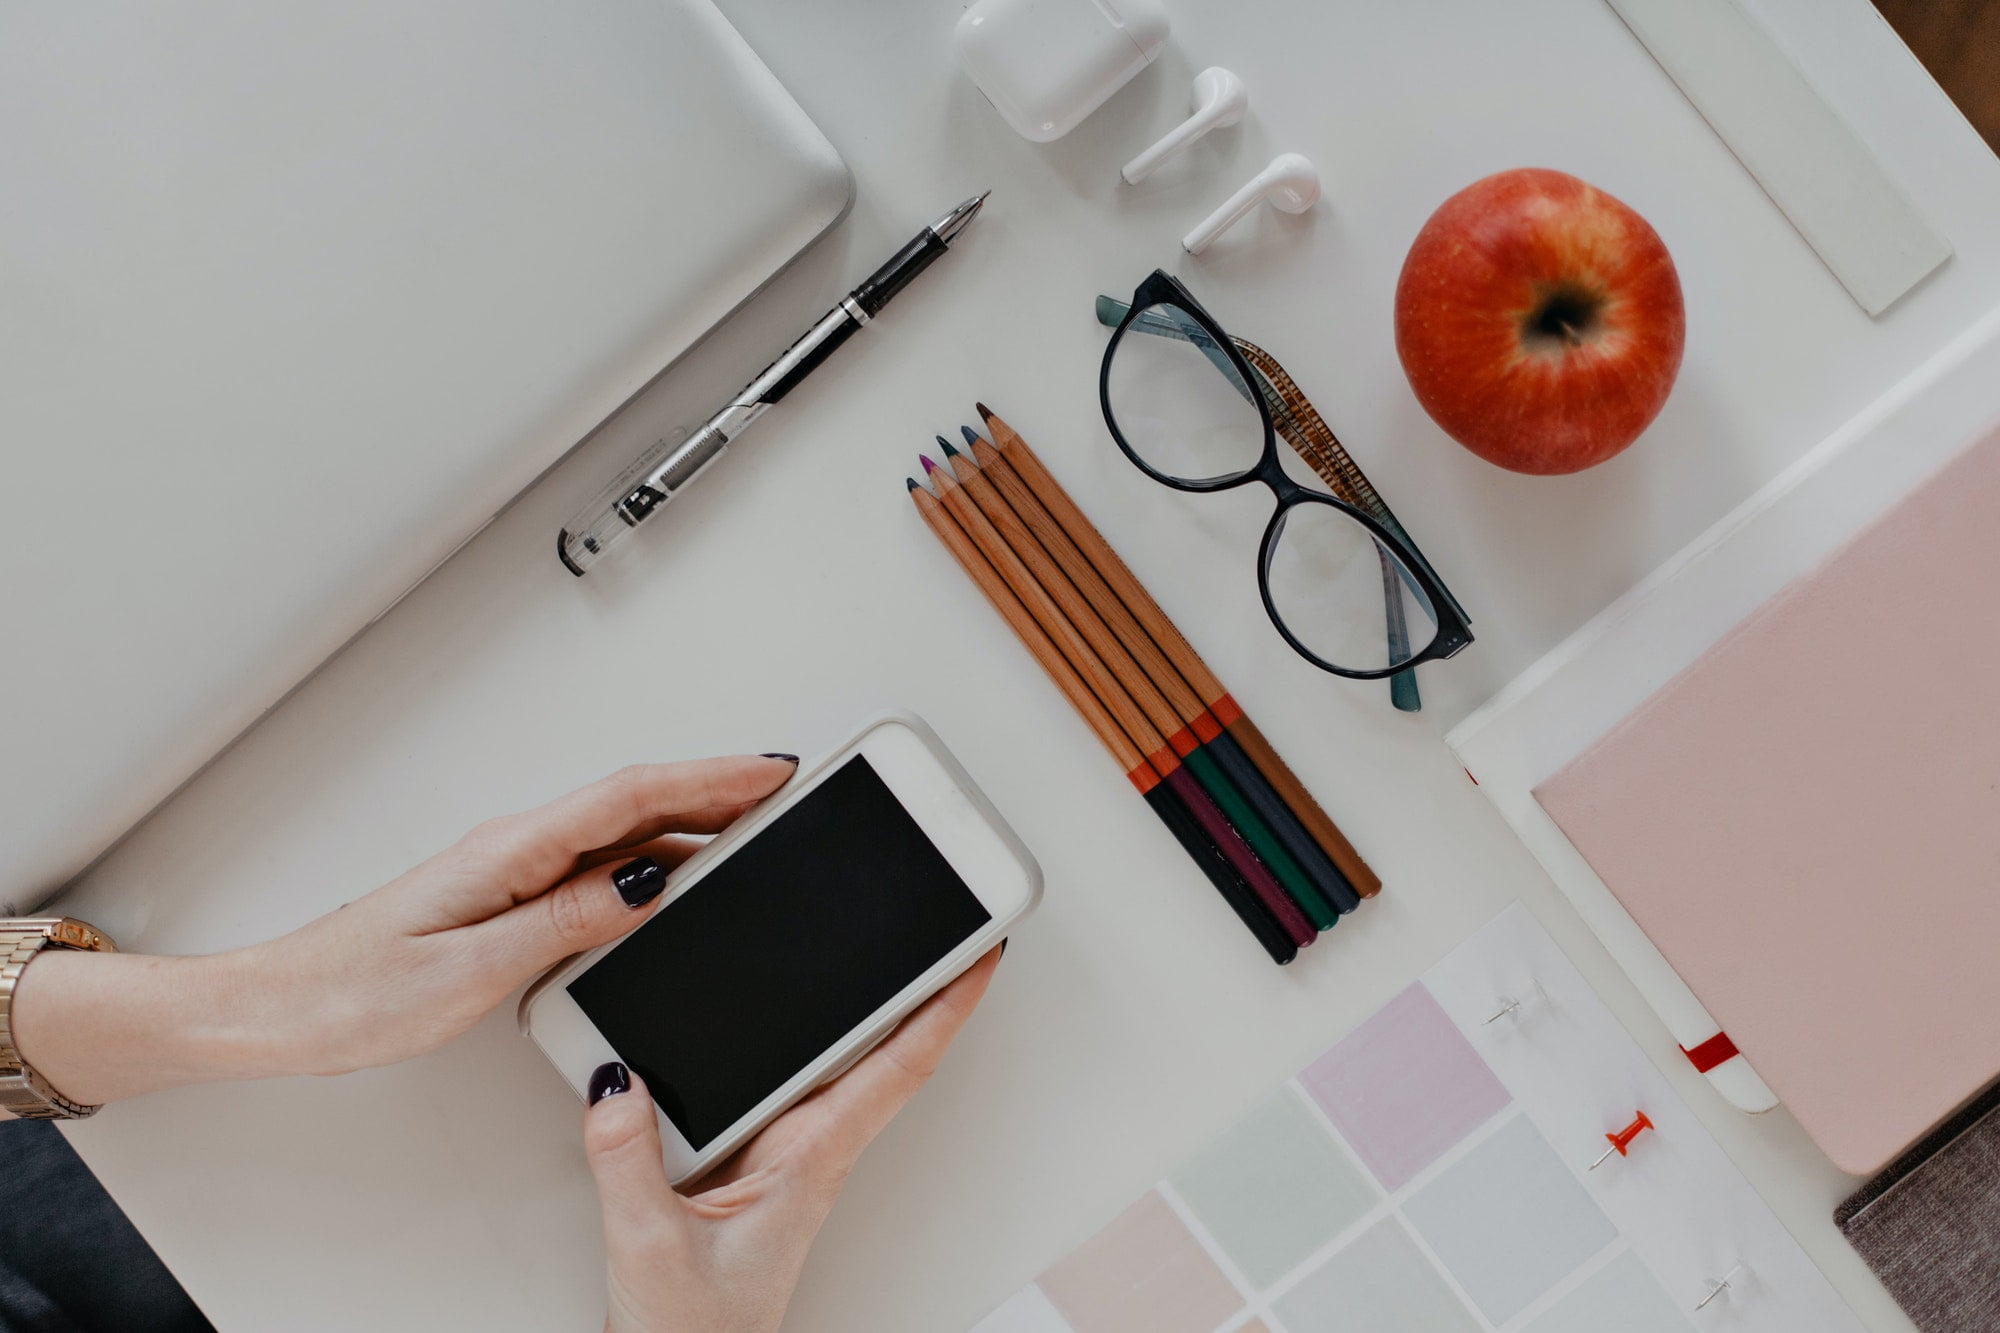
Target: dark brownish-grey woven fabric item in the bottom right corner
[[1931, 1224]]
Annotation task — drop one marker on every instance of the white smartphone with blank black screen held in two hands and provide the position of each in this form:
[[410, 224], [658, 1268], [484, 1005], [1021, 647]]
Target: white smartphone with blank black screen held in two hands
[[793, 944]]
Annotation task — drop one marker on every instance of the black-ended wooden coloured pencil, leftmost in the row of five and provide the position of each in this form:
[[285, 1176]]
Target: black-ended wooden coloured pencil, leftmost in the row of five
[[1179, 822]]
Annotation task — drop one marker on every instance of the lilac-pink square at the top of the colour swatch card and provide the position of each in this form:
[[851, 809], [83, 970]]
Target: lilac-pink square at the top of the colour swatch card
[[1403, 1088]]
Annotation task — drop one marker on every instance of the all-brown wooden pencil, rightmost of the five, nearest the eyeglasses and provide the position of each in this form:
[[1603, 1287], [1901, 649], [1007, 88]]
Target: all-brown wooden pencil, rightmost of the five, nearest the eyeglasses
[[1185, 659]]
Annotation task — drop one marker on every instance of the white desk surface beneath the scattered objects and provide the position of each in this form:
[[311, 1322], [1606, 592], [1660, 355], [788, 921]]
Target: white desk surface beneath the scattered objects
[[797, 591]]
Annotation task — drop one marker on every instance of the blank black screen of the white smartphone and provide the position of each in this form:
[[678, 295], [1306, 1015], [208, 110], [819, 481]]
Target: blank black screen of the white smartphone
[[779, 954]]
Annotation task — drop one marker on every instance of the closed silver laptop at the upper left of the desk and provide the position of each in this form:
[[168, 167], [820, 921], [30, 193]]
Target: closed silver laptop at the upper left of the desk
[[293, 299]]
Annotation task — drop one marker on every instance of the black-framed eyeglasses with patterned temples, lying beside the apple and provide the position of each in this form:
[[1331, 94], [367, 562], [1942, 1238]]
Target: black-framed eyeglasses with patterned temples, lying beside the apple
[[1201, 411]]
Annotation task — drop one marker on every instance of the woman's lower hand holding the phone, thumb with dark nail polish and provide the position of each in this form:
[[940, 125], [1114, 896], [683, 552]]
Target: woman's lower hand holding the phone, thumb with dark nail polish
[[725, 1260]]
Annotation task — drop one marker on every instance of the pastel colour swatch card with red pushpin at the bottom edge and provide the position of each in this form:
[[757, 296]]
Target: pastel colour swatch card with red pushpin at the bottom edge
[[1431, 1174]]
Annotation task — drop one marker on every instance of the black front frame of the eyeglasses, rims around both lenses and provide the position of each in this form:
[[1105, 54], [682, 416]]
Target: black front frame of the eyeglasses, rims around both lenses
[[1453, 625]]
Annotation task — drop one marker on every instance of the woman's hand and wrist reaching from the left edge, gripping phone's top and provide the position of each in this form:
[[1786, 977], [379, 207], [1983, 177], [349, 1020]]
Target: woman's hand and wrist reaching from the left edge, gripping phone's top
[[399, 972]]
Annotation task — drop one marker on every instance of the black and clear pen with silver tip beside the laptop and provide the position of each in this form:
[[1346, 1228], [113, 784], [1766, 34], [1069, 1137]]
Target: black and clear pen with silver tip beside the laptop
[[667, 469]]
